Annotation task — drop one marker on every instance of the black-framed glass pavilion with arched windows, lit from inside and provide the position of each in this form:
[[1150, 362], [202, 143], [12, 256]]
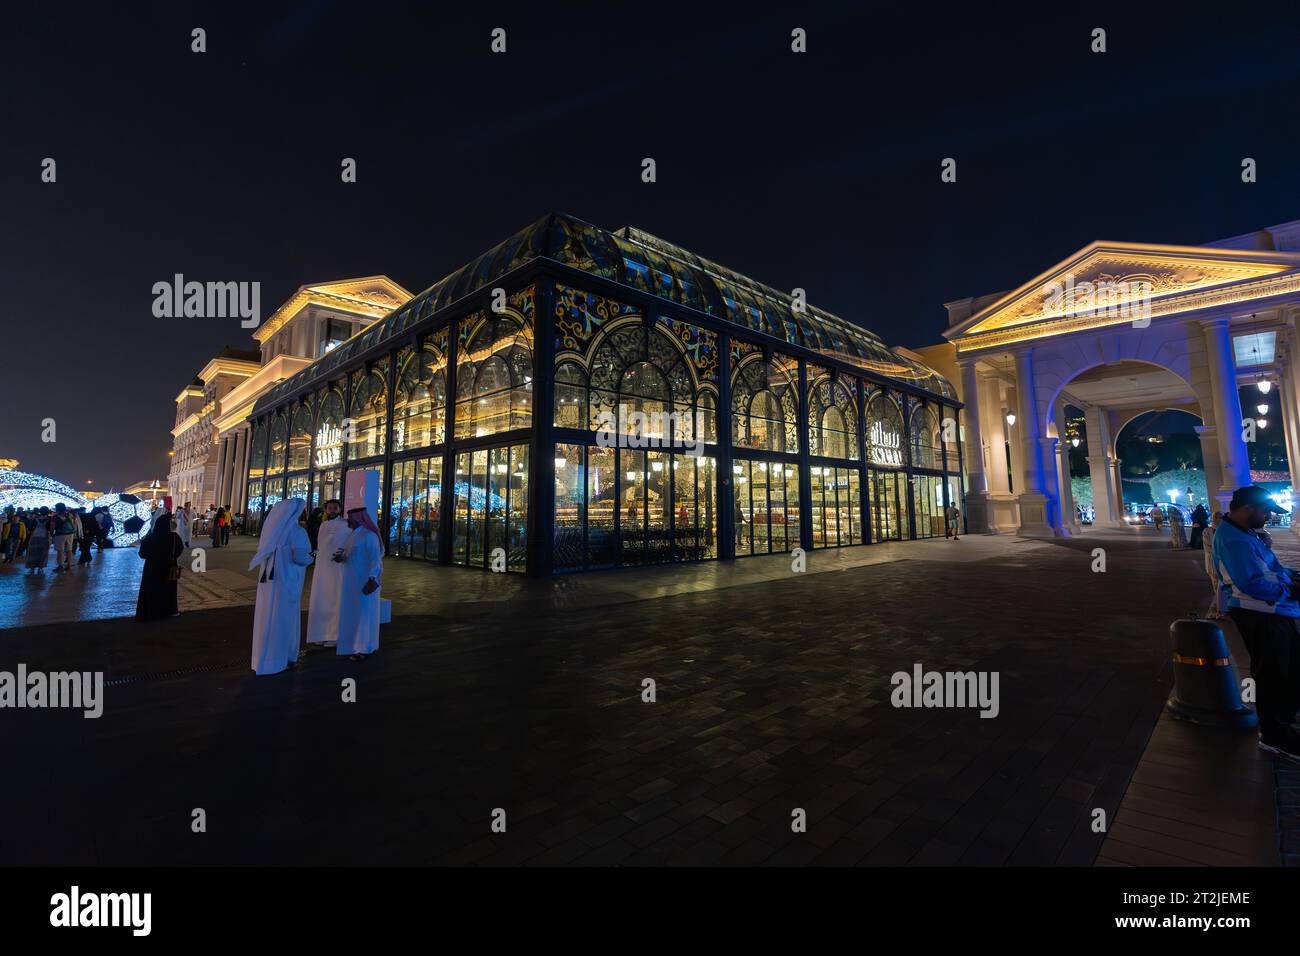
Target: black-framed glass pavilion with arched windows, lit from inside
[[579, 400]]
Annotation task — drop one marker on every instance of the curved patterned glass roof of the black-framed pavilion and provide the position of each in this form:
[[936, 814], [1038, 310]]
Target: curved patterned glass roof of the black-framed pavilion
[[640, 261]]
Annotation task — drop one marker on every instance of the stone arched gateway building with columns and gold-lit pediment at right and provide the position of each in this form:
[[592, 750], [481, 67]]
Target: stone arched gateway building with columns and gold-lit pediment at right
[[1117, 330]]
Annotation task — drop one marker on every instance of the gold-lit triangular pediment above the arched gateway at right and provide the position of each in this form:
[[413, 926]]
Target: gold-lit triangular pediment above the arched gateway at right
[[1113, 283]]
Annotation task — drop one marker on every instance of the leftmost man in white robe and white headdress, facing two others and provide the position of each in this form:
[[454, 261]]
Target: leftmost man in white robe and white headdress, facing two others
[[284, 553]]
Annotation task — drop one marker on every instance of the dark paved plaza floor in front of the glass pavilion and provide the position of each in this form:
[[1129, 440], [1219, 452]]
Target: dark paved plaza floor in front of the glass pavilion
[[773, 695]]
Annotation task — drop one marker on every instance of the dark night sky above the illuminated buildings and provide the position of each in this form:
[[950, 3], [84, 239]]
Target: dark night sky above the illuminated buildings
[[817, 171]]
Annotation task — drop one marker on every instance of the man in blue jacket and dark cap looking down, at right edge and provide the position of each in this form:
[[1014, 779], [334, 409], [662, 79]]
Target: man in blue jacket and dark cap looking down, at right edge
[[1262, 600]]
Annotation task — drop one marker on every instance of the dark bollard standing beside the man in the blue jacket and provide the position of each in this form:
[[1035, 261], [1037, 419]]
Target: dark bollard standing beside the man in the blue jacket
[[1206, 686]]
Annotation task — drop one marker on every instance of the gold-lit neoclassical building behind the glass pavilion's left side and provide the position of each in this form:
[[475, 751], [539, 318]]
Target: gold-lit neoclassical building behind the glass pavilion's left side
[[211, 435]]
